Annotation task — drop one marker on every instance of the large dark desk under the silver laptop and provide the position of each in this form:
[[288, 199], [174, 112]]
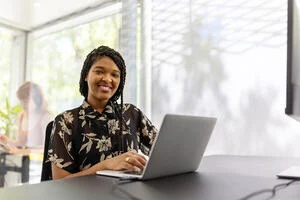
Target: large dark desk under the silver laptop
[[219, 178]]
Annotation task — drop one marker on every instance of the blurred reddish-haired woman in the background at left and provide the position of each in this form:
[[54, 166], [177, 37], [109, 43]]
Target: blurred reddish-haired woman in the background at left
[[32, 121]]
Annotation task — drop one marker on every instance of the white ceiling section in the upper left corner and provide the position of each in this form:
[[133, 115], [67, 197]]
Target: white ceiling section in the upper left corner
[[27, 14]]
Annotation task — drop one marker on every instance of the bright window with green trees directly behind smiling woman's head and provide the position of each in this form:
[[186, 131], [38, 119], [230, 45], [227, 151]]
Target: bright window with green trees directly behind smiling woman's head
[[58, 58]]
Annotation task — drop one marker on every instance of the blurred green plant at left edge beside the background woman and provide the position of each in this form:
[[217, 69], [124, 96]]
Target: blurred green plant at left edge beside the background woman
[[8, 118]]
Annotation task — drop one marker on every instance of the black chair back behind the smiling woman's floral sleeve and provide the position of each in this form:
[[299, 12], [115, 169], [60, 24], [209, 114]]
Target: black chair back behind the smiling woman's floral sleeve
[[46, 167]]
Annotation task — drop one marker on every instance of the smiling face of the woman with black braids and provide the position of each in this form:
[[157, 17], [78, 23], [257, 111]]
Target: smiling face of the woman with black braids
[[103, 80]]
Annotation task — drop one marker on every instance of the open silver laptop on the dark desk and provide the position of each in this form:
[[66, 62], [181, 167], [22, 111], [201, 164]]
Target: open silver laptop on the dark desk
[[177, 149]]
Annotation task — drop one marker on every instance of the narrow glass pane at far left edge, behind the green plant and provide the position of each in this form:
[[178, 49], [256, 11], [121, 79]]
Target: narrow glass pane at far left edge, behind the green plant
[[11, 70]]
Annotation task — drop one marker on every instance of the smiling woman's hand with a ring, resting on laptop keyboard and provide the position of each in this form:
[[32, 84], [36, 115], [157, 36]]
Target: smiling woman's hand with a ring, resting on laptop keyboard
[[127, 161]]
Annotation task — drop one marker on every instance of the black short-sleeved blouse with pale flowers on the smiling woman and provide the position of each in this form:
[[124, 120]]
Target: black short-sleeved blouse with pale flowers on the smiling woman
[[83, 137]]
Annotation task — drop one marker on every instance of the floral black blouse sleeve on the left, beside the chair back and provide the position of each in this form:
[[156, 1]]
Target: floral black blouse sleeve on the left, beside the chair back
[[60, 145]]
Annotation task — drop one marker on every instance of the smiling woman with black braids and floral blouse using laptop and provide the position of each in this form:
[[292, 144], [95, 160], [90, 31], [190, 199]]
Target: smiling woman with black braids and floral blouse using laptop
[[100, 134]]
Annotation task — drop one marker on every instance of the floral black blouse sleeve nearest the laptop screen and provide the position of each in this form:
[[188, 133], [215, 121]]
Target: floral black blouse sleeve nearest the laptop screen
[[147, 133]]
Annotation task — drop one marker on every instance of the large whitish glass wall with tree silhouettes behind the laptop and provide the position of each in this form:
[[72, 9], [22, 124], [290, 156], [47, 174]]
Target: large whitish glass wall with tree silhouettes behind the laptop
[[225, 59]]
